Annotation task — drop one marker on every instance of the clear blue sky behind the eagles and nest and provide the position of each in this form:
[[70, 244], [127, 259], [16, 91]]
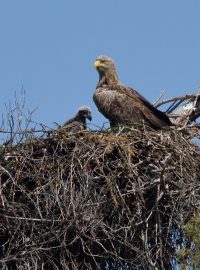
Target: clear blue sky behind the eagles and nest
[[49, 48]]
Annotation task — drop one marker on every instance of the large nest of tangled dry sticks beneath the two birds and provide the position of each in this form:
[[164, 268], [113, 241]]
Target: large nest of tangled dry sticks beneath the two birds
[[96, 200]]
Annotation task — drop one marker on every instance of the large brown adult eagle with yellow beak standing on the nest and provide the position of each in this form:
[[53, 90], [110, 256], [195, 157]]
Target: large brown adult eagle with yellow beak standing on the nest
[[121, 104]]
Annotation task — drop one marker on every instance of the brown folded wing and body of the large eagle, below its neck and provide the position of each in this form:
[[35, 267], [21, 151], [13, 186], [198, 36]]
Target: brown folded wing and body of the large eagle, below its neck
[[121, 104]]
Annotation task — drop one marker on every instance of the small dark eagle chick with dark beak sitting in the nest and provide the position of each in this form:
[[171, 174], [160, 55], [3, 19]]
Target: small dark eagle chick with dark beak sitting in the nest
[[78, 122]]
